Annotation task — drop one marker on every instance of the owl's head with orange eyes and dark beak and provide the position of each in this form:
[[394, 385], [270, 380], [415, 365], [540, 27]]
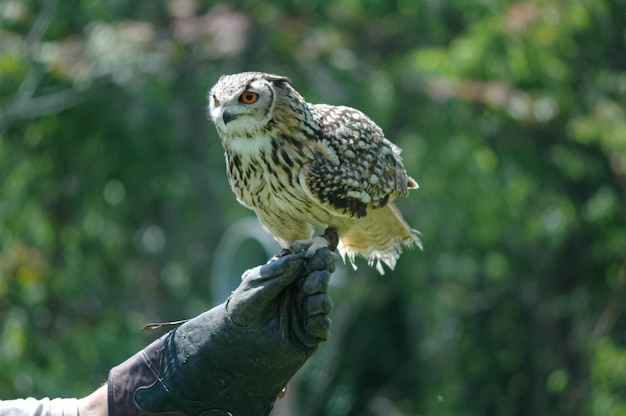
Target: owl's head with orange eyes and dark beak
[[240, 104]]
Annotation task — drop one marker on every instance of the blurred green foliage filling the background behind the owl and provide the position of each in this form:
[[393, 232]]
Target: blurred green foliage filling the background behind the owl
[[113, 194]]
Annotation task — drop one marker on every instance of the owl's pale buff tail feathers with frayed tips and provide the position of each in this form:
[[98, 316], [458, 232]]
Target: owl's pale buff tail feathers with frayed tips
[[379, 237]]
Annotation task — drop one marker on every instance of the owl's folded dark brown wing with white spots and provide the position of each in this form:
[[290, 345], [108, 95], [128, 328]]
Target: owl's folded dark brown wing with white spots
[[356, 168]]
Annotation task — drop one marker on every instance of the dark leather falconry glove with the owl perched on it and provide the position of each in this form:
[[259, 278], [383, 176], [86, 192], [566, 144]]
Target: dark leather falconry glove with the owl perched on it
[[237, 357]]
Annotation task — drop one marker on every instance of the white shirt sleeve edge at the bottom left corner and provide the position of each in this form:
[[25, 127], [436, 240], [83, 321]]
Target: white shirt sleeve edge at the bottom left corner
[[35, 407]]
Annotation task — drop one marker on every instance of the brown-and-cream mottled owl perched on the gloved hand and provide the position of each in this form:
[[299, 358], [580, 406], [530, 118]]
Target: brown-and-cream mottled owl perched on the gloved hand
[[299, 166]]
